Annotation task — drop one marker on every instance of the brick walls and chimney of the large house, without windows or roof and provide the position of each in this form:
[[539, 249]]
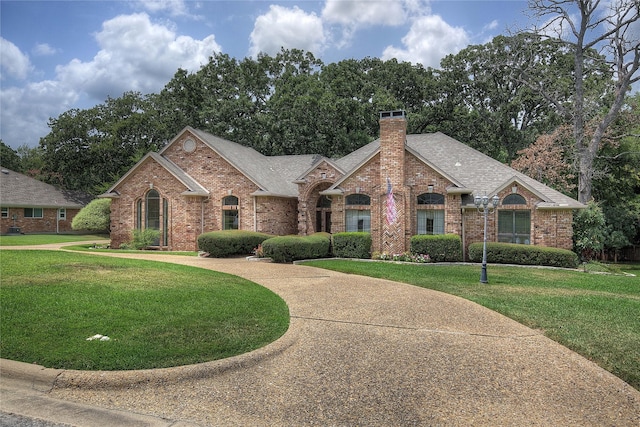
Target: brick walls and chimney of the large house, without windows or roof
[[320, 201]]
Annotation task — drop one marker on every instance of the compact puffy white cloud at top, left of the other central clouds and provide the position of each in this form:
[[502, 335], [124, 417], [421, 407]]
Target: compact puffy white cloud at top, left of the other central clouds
[[288, 28]]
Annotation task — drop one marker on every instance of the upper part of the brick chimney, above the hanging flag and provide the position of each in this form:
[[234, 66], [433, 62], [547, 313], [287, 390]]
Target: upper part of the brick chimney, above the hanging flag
[[393, 136]]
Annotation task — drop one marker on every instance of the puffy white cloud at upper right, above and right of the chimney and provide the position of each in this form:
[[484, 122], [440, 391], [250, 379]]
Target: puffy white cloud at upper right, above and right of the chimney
[[428, 41]]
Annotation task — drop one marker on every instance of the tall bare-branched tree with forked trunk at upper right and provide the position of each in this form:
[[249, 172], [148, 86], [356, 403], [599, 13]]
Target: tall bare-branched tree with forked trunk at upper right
[[583, 26]]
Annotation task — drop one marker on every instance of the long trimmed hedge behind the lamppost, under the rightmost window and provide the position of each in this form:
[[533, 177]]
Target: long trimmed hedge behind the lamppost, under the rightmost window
[[511, 253]]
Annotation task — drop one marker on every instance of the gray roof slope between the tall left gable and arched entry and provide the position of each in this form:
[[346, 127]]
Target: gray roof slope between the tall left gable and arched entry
[[275, 175]]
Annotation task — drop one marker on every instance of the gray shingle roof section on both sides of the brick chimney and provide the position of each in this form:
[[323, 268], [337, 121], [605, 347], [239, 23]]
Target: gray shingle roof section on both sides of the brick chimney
[[471, 171]]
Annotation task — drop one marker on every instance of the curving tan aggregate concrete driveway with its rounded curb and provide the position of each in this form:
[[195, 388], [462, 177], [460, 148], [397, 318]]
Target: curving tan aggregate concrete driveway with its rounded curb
[[360, 351]]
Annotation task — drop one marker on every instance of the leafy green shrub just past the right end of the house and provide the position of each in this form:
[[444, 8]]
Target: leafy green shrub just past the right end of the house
[[589, 228]]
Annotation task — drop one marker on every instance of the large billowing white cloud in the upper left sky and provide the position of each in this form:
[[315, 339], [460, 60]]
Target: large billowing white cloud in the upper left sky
[[135, 54]]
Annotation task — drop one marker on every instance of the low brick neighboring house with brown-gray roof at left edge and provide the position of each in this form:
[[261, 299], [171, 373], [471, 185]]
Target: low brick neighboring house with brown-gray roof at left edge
[[31, 206]]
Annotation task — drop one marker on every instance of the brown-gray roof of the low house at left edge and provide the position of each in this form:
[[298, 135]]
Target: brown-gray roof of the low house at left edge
[[18, 190]]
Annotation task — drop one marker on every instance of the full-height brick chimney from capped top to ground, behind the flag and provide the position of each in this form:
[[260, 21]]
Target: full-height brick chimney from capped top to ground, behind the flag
[[393, 233]]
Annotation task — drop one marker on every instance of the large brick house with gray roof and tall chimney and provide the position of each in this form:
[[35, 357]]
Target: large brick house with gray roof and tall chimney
[[200, 183]]
